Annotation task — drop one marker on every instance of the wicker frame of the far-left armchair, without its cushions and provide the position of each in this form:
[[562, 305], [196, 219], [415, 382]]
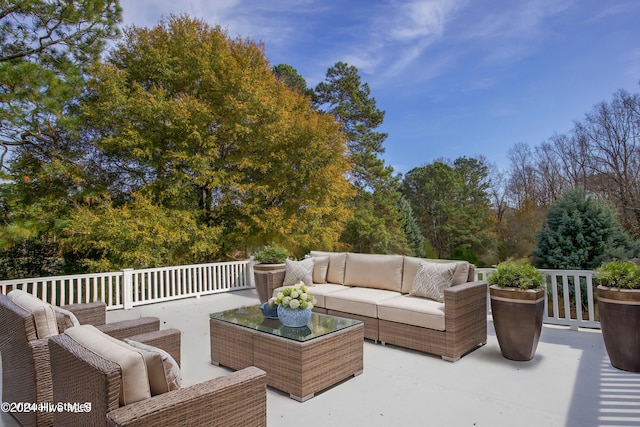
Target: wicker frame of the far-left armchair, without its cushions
[[26, 372]]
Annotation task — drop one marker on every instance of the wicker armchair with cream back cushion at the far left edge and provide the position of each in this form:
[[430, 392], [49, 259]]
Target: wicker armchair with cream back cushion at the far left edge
[[24, 334]]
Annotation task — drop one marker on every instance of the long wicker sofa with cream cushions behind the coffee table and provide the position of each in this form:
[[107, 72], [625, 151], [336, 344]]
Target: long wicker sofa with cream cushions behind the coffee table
[[376, 289]]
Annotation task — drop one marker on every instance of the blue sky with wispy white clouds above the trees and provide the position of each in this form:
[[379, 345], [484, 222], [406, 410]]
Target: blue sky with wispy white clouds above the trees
[[455, 77]]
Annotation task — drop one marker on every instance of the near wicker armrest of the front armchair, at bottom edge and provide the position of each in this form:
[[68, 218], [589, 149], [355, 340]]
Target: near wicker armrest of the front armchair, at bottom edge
[[239, 398]]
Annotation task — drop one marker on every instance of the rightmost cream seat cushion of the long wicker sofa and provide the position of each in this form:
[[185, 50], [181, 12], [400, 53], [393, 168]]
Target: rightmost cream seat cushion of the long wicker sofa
[[416, 311]]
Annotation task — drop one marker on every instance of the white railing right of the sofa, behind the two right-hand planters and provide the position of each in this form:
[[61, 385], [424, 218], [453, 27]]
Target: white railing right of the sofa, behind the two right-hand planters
[[570, 297]]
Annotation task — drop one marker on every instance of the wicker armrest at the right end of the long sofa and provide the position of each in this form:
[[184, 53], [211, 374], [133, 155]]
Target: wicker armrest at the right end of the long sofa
[[463, 303]]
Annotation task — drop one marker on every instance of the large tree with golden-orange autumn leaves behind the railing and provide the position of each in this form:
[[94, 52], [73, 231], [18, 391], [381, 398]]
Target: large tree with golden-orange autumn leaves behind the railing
[[195, 121]]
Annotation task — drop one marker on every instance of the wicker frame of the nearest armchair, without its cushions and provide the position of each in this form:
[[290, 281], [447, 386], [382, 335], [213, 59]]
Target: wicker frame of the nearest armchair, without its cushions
[[80, 375]]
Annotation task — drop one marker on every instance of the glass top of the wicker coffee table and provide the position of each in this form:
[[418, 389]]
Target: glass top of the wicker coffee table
[[251, 317]]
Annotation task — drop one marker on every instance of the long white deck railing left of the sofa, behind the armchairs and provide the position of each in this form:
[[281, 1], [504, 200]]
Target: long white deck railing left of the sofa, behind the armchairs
[[128, 288]]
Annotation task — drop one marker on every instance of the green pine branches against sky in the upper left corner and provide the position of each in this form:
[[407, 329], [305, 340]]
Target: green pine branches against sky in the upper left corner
[[46, 48]]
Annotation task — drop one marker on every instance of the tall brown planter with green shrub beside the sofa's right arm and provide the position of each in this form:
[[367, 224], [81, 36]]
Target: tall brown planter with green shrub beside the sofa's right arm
[[517, 304]]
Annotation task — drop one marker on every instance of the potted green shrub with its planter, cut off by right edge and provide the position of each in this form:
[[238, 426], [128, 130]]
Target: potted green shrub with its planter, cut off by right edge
[[619, 310]]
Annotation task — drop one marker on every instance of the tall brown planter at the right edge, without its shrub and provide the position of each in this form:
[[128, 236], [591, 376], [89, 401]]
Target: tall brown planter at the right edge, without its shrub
[[619, 311]]
